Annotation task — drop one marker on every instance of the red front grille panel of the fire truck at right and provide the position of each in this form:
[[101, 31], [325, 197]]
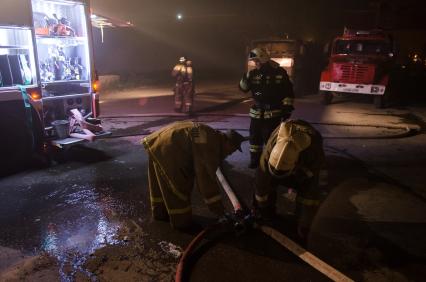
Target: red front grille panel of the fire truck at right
[[349, 73]]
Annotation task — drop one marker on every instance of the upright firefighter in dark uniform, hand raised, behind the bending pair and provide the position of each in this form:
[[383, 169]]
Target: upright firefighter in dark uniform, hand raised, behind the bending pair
[[273, 96]]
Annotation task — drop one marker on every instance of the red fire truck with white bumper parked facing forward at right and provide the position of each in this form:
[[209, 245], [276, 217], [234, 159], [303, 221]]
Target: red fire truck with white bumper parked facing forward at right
[[360, 62]]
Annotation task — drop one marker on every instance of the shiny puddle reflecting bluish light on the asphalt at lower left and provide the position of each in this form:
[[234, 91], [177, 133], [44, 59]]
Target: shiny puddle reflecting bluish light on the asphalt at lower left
[[84, 221]]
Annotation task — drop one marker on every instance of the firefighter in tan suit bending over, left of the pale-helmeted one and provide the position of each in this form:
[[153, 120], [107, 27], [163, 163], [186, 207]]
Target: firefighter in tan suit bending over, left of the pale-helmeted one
[[180, 155]]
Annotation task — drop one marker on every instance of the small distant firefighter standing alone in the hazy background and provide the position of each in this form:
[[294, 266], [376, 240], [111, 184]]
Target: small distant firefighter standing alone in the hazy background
[[184, 87]]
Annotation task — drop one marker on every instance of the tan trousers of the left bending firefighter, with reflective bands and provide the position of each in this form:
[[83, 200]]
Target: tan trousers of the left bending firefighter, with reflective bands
[[165, 204]]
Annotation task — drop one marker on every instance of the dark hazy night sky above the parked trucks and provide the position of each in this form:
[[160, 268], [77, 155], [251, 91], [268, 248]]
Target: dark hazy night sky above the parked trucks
[[215, 33]]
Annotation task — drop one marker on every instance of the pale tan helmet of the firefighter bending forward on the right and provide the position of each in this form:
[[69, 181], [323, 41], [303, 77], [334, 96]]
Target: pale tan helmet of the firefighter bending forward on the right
[[291, 141]]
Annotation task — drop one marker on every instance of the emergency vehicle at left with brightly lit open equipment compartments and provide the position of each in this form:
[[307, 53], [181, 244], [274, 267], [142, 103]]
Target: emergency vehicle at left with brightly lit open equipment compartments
[[46, 69]]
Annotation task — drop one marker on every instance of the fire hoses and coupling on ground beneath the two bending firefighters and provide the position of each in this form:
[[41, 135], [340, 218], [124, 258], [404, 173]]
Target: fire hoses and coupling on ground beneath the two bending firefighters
[[245, 219]]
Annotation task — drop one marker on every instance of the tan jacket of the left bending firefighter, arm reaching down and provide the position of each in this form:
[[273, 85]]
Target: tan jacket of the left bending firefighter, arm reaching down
[[186, 151]]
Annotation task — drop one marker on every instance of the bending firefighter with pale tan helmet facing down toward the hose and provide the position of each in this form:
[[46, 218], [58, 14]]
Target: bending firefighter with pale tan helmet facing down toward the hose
[[292, 157]]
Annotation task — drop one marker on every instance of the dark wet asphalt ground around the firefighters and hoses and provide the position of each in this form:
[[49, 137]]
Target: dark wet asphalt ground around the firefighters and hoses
[[86, 200]]
